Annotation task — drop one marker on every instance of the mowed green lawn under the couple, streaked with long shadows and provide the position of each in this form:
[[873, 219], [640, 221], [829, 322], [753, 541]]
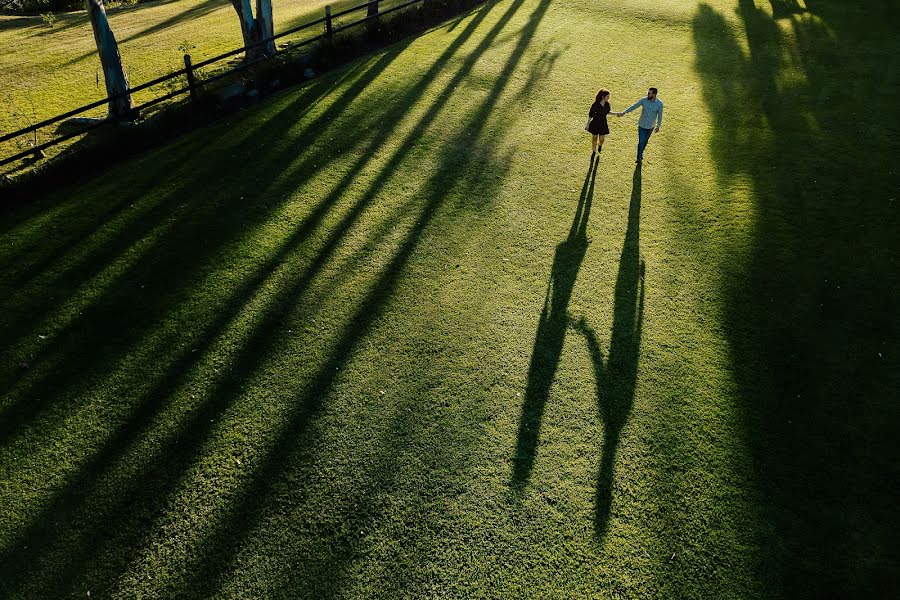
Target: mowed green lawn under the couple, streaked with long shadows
[[391, 335]]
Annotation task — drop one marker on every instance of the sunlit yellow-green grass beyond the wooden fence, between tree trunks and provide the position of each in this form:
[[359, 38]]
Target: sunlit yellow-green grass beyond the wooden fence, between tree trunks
[[48, 70]]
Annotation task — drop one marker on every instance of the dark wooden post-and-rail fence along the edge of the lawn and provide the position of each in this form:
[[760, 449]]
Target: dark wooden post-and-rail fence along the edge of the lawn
[[189, 71]]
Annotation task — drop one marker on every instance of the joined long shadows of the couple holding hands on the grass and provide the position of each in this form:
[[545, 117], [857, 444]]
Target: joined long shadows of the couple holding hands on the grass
[[615, 375]]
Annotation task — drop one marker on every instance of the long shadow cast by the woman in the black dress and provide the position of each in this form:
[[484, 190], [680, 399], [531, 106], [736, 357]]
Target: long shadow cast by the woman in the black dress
[[551, 331]]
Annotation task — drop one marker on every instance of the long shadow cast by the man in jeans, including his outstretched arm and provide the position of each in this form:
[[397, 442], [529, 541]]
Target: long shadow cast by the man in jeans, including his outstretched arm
[[616, 378]]
